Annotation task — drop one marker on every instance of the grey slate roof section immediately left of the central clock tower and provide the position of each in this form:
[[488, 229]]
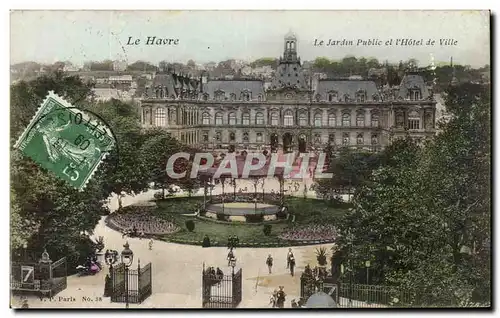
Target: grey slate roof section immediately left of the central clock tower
[[229, 87]]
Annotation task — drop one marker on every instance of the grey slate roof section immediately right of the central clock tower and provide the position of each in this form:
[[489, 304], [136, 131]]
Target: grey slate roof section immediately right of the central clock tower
[[349, 87]]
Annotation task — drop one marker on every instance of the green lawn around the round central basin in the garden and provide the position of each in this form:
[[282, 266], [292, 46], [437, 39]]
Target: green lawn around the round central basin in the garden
[[306, 211]]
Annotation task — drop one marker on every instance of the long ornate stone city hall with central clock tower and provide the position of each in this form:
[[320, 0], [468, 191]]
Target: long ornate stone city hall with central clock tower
[[293, 112]]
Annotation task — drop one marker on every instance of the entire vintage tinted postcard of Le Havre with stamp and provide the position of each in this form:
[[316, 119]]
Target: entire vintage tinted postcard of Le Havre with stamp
[[250, 159]]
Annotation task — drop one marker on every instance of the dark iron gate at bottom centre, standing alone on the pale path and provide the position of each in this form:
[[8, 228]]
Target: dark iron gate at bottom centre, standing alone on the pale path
[[219, 290]]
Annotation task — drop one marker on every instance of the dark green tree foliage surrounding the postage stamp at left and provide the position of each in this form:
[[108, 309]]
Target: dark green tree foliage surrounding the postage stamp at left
[[46, 212]]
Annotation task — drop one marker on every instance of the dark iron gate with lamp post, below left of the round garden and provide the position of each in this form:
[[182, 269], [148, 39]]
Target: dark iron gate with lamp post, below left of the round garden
[[138, 282]]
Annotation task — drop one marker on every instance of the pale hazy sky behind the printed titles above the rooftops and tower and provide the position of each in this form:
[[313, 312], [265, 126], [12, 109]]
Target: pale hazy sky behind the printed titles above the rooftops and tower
[[79, 36]]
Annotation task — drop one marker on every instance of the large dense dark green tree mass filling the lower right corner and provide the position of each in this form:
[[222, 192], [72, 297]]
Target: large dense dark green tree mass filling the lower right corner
[[423, 217]]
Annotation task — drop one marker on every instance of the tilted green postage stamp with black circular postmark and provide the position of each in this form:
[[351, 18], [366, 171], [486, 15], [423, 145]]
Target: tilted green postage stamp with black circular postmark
[[66, 141]]
